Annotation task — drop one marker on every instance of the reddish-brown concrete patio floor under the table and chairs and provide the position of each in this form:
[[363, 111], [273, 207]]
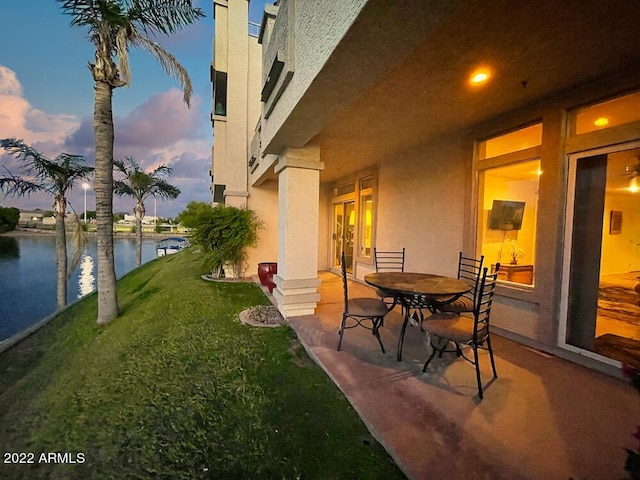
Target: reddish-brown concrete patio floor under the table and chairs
[[543, 418]]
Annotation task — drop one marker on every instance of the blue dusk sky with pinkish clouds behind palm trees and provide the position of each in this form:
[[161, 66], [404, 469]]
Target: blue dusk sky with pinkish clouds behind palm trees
[[46, 99]]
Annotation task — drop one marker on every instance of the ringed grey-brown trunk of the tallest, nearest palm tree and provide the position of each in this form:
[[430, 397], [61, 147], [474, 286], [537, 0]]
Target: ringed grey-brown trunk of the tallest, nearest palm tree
[[103, 132]]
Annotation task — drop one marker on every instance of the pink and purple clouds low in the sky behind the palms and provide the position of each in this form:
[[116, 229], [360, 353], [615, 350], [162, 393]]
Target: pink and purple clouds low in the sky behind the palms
[[161, 130]]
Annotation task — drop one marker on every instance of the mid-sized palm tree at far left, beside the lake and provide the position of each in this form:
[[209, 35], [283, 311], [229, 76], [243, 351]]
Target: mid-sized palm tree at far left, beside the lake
[[52, 177]]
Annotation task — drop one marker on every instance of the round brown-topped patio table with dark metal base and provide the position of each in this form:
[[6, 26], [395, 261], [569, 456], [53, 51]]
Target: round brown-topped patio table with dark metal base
[[417, 291]]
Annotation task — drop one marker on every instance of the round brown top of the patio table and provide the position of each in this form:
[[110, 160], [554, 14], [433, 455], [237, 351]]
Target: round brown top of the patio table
[[409, 283]]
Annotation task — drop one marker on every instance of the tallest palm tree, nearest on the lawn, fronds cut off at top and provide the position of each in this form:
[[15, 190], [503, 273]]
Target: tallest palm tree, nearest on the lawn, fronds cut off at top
[[115, 26]]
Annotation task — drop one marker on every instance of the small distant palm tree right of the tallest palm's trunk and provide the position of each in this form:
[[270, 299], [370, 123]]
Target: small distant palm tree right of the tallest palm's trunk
[[140, 185]]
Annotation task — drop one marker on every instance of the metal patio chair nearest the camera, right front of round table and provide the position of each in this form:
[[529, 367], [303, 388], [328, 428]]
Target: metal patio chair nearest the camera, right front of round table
[[467, 332]]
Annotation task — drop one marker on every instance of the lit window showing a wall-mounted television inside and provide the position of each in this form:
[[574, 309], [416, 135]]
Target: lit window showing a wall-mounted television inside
[[508, 205]]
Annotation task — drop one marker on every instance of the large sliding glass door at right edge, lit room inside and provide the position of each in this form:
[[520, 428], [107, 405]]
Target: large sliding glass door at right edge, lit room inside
[[602, 256]]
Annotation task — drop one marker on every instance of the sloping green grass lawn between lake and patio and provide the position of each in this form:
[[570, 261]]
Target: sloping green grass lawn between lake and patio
[[176, 387]]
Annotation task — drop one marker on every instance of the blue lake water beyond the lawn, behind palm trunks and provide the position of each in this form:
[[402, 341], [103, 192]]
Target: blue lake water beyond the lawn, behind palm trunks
[[28, 276]]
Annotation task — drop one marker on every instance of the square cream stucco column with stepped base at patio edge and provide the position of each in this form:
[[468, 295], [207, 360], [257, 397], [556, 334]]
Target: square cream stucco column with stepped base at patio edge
[[298, 208]]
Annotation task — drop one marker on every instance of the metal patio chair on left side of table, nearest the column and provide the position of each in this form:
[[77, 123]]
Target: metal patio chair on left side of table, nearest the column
[[361, 311]]
